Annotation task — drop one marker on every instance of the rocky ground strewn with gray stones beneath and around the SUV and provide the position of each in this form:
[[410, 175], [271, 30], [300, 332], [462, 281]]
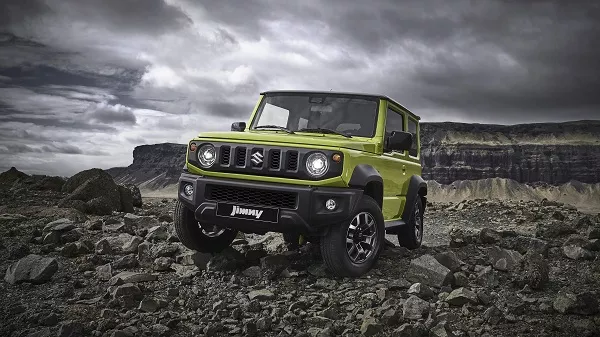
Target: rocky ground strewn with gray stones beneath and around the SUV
[[488, 268]]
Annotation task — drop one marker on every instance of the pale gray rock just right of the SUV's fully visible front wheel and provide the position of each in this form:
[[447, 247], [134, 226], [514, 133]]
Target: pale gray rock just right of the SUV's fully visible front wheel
[[426, 269]]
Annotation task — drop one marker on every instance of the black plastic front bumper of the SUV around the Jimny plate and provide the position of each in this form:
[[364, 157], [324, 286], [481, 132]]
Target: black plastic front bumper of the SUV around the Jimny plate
[[307, 215]]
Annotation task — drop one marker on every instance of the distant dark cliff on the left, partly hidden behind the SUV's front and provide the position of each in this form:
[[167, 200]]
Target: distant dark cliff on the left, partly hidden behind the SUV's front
[[154, 166]]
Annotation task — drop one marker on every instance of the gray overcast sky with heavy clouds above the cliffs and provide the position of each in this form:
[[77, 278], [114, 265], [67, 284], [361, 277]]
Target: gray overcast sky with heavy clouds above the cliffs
[[82, 82]]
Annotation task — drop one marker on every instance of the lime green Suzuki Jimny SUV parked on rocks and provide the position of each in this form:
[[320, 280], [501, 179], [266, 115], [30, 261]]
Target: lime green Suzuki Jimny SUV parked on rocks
[[337, 169]]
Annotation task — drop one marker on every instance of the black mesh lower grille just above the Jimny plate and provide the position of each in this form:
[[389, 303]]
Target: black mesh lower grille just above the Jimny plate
[[280, 199]]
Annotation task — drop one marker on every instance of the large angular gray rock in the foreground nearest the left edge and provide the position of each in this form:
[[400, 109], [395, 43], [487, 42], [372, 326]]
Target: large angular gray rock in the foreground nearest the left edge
[[32, 269]]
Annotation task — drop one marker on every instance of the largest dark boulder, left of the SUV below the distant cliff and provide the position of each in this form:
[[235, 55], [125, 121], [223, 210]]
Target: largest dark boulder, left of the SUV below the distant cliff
[[97, 191]]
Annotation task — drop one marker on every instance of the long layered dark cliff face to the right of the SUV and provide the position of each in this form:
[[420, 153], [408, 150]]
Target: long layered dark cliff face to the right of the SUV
[[553, 153]]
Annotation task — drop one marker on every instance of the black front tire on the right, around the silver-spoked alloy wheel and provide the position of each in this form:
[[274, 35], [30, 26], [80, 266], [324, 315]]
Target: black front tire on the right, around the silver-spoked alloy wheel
[[337, 252]]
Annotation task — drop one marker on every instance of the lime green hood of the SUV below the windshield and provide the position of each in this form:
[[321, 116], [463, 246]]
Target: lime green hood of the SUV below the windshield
[[299, 139]]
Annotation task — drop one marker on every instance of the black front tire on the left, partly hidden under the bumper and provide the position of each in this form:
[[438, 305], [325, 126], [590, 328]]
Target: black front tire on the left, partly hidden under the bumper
[[192, 236]]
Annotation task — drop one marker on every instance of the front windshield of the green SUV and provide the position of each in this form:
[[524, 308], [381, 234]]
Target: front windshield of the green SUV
[[347, 114]]
